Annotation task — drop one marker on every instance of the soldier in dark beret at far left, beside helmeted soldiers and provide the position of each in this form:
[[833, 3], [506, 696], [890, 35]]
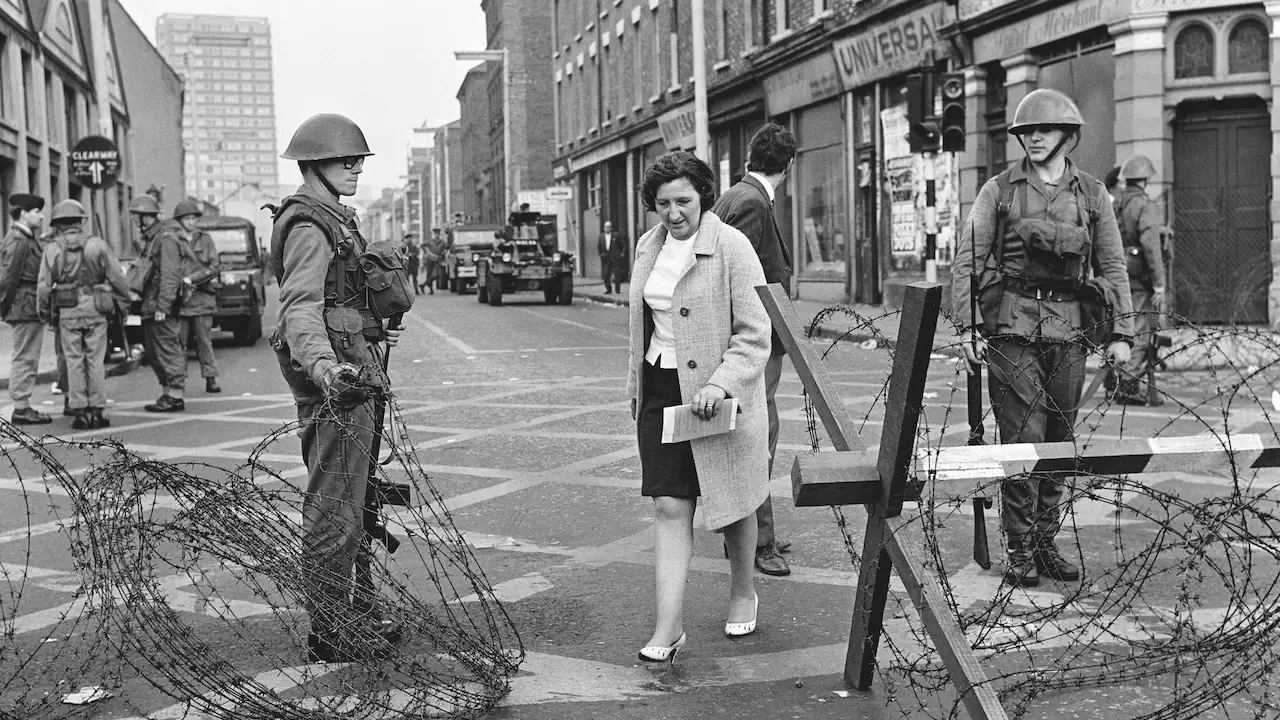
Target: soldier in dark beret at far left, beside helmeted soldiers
[[20, 275]]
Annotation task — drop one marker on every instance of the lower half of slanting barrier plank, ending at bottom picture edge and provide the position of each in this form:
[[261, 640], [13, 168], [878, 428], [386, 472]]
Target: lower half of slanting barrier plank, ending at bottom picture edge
[[980, 699]]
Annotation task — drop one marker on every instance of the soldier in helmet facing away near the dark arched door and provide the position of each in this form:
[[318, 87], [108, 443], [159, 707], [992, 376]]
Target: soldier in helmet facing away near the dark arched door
[[1141, 227]]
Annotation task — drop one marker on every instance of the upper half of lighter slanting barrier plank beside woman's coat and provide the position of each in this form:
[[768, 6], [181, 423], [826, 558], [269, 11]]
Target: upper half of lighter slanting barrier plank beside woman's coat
[[813, 373]]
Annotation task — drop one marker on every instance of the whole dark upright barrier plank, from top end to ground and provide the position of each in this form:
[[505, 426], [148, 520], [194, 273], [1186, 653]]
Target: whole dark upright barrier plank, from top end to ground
[[920, 318]]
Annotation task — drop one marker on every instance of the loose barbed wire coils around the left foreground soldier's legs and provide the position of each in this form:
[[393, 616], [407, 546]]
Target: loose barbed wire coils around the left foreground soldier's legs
[[193, 578]]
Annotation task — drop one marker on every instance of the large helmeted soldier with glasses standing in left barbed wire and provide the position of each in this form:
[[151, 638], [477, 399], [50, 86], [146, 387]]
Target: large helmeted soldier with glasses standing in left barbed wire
[[328, 343]]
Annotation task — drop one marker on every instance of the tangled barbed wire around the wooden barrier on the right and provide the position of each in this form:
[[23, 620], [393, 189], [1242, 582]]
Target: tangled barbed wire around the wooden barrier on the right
[[1177, 596]]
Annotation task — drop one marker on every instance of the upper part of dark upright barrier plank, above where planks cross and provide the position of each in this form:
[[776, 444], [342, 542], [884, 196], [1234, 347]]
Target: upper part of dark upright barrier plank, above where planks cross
[[920, 320]]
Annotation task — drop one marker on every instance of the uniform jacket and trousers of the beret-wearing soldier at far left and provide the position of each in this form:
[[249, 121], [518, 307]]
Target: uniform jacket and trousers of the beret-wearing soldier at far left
[[20, 275]]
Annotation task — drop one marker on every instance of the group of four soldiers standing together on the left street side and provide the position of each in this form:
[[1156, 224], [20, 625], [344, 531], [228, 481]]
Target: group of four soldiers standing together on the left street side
[[71, 281]]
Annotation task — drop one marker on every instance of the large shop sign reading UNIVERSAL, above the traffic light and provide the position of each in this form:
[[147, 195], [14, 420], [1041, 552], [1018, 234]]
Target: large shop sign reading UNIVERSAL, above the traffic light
[[892, 48]]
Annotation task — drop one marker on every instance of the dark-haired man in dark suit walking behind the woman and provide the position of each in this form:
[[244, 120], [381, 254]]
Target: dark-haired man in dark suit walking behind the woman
[[749, 208]]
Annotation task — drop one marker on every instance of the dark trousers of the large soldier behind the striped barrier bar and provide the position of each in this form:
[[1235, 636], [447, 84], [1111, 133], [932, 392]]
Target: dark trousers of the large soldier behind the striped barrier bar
[[1036, 393]]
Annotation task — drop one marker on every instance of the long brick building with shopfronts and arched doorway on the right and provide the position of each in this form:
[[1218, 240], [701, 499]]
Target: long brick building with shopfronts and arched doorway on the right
[[1187, 83]]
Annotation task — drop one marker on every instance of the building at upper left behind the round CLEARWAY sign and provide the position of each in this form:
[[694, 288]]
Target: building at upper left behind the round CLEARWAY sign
[[61, 75]]
